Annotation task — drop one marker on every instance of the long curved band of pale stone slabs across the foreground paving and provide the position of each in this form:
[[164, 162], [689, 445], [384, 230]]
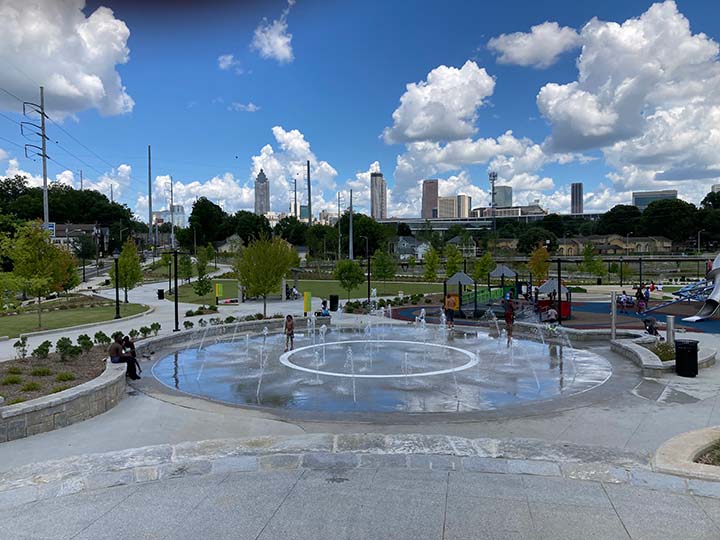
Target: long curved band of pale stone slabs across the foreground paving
[[334, 452]]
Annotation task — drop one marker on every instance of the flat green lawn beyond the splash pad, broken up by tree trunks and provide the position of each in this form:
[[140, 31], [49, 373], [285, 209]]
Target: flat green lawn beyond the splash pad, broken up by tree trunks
[[318, 288]]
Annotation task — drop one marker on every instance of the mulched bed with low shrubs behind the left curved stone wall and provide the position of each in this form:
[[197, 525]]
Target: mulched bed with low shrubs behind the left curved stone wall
[[23, 380]]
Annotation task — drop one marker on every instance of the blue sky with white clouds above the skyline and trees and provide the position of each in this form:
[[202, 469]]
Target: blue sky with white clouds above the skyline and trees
[[622, 96]]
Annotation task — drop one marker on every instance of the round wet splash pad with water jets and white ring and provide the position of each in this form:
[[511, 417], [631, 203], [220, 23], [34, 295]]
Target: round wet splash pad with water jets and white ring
[[377, 366]]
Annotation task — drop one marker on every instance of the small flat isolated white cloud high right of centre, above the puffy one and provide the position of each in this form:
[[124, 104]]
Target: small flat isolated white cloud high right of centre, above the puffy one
[[539, 48]]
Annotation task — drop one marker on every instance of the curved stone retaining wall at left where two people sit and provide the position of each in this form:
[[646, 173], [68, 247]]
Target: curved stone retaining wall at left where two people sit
[[64, 408]]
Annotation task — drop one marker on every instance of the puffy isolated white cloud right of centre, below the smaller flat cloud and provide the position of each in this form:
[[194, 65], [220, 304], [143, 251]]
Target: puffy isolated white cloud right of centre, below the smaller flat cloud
[[443, 107]]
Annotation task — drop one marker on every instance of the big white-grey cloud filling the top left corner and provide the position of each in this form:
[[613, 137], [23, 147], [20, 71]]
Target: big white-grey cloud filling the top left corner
[[74, 56]]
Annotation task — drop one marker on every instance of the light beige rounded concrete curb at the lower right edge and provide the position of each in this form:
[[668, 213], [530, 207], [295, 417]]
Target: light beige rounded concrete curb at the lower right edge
[[677, 456]]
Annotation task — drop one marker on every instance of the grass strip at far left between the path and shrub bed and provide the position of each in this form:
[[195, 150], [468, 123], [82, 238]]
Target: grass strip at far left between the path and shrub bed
[[14, 325]]
